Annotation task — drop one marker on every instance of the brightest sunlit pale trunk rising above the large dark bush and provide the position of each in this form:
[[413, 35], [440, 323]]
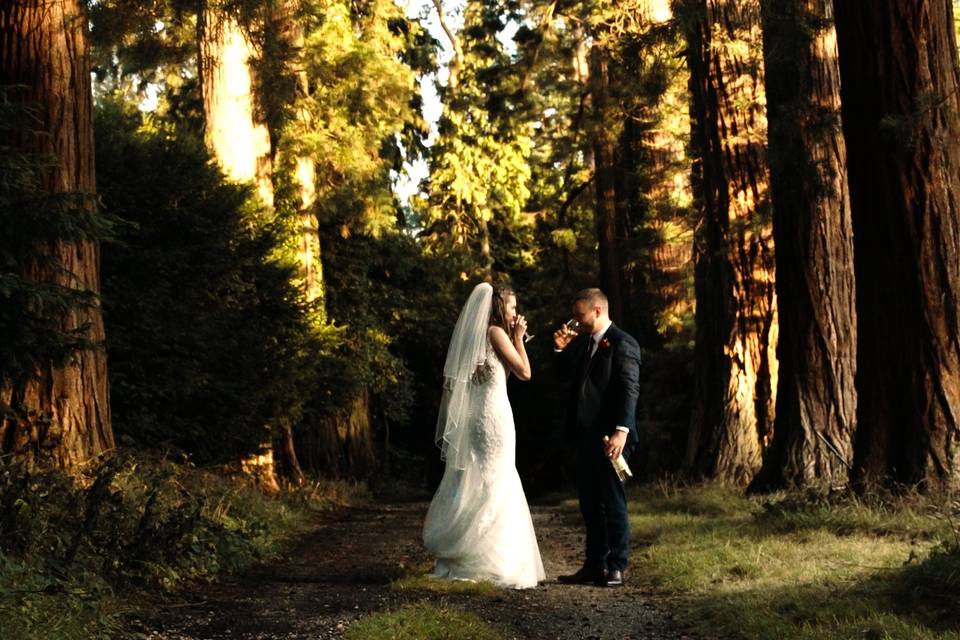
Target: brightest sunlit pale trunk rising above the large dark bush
[[234, 131]]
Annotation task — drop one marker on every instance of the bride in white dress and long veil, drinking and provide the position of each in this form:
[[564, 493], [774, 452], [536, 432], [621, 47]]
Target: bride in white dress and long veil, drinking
[[479, 526]]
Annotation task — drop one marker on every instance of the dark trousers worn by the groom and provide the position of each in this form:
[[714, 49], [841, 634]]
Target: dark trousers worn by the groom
[[603, 504]]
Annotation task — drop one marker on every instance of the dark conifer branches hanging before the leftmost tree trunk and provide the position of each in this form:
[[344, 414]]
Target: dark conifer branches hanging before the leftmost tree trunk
[[33, 224]]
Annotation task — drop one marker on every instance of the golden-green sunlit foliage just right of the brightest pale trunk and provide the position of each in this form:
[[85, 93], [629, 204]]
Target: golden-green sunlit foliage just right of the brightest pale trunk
[[358, 120]]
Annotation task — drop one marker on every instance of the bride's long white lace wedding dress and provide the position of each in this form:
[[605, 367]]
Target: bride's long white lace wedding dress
[[479, 526]]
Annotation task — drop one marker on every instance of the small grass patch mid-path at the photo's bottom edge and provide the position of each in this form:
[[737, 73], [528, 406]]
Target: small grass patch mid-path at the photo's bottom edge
[[422, 621]]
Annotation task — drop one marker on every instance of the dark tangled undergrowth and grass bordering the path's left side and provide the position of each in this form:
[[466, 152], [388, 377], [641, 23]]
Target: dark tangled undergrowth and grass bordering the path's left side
[[76, 552]]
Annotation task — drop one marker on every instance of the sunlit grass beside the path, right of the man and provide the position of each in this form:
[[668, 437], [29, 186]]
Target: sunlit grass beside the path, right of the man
[[789, 566]]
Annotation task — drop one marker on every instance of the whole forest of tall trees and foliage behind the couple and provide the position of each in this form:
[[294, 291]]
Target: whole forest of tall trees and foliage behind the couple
[[204, 251]]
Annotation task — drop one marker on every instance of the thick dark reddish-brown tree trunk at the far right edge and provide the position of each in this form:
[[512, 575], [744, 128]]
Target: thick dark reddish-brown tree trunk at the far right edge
[[901, 120]]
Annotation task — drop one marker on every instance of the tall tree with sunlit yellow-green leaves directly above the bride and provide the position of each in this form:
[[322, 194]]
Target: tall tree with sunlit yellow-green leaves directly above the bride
[[479, 174]]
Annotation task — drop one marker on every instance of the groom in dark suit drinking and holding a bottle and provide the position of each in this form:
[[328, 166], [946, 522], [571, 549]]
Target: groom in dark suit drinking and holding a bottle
[[602, 364]]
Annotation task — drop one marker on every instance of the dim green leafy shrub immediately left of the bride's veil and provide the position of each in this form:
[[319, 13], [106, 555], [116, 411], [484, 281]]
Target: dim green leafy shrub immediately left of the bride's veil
[[399, 307]]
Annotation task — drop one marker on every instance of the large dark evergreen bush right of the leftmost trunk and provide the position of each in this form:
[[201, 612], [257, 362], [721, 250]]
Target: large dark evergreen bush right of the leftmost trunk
[[209, 342]]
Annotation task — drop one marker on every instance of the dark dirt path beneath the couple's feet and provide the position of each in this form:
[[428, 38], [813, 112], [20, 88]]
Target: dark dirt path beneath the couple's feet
[[342, 569]]
